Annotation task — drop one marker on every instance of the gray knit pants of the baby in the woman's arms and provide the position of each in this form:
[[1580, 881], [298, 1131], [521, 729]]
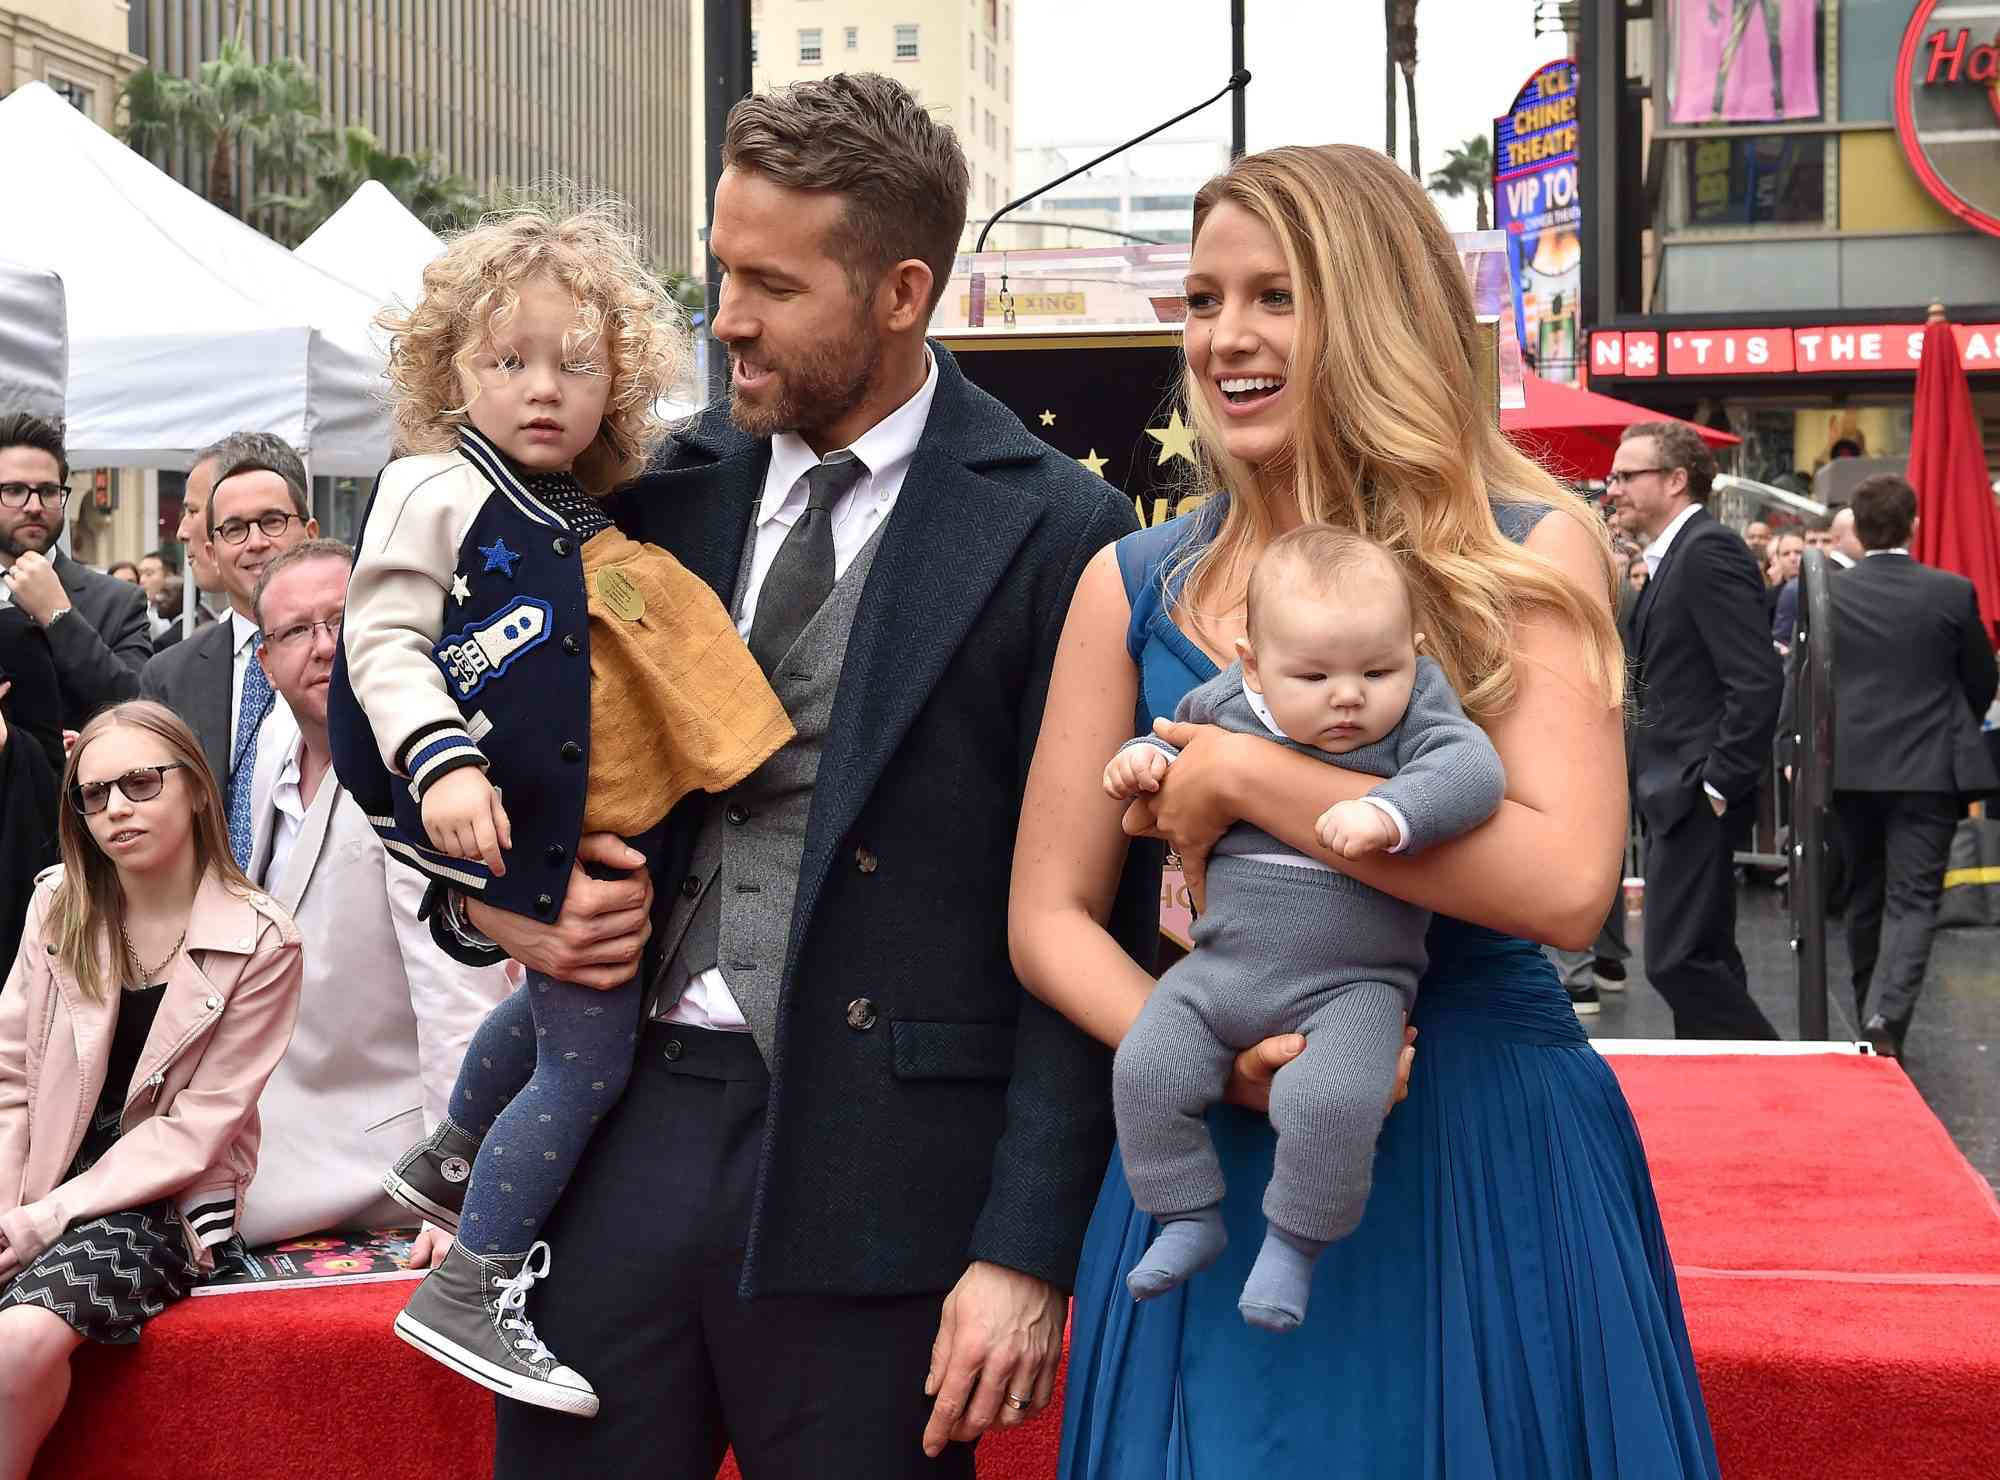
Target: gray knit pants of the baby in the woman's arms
[[1281, 949]]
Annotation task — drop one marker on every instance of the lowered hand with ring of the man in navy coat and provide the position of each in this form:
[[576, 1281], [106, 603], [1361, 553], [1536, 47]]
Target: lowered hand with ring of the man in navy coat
[[1001, 1335]]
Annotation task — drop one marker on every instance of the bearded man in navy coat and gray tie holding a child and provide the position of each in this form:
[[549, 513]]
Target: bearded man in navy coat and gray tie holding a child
[[853, 1151]]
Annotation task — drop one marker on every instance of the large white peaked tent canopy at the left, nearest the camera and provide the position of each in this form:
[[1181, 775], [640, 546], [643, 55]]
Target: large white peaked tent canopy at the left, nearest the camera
[[185, 323]]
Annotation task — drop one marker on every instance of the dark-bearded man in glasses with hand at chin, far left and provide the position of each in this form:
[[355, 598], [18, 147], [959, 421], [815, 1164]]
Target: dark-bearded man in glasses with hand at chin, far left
[[97, 625]]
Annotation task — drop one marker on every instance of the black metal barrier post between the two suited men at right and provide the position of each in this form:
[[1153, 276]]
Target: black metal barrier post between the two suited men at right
[[1813, 789]]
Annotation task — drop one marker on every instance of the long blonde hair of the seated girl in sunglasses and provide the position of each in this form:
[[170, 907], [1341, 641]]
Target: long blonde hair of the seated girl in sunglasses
[[89, 907]]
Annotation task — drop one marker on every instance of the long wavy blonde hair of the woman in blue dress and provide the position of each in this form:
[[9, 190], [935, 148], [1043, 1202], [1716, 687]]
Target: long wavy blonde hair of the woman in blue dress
[[1391, 437]]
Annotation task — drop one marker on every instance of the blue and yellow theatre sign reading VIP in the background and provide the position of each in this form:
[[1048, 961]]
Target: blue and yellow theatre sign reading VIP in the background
[[1539, 209]]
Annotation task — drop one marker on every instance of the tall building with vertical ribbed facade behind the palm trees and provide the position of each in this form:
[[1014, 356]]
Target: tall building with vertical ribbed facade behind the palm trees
[[505, 93]]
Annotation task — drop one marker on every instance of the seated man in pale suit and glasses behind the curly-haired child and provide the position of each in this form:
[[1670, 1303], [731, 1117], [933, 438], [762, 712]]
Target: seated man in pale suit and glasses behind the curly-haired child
[[385, 1015]]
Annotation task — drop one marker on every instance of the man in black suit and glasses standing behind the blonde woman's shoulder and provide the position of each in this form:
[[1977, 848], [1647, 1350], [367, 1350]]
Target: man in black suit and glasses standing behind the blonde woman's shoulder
[[1709, 693]]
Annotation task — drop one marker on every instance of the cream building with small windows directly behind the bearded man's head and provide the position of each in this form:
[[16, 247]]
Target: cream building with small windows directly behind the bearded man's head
[[955, 55]]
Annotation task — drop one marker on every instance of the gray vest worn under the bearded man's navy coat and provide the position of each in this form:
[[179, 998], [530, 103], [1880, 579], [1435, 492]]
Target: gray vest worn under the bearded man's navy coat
[[753, 839]]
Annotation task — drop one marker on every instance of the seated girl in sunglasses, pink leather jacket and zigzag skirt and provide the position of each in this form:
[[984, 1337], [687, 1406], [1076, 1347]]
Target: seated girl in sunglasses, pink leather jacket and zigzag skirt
[[153, 995]]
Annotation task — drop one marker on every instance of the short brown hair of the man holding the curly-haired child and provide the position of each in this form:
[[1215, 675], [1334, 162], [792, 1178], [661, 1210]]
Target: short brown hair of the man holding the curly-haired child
[[867, 139]]
